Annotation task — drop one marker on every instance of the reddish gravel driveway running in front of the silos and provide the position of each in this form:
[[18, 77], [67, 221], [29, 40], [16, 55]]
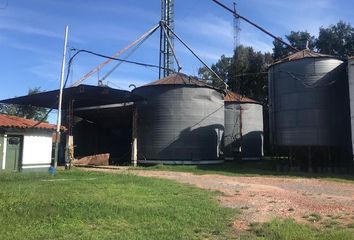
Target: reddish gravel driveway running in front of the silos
[[261, 199]]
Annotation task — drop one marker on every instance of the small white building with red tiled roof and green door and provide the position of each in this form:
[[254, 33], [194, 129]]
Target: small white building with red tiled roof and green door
[[25, 146]]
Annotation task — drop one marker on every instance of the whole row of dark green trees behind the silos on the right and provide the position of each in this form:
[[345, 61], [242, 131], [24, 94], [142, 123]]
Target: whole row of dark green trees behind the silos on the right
[[246, 71]]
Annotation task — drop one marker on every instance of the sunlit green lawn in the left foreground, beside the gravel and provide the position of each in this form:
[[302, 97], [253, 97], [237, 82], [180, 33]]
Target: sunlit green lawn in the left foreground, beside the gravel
[[87, 205]]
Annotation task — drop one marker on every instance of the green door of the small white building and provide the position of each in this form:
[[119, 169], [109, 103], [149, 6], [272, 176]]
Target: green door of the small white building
[[13, 152]]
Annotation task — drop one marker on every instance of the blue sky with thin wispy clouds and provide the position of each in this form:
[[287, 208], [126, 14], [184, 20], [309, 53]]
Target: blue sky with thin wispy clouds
[[31, 34]]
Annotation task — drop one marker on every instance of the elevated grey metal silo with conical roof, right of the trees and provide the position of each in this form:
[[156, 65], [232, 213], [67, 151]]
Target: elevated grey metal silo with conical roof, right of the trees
[[308, 101]]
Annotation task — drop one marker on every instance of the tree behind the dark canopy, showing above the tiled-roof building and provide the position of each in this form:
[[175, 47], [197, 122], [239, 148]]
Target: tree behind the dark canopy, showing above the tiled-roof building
[[29, 112]]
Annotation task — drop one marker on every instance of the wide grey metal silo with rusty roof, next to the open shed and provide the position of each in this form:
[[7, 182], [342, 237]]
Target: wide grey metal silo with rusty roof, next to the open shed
[[181, 121]]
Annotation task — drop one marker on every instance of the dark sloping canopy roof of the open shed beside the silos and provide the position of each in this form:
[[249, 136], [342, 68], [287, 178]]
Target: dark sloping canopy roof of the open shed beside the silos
[[82, 95]]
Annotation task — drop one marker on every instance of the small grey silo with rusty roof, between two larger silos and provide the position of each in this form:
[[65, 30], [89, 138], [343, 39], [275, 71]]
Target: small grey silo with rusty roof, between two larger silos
[[243, 135]]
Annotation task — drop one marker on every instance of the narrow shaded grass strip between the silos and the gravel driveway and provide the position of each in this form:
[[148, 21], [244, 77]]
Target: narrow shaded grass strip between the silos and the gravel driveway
[[257, 168]]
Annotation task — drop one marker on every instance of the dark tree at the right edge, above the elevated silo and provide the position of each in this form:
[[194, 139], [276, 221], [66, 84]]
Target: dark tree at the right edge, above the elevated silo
[[337, 40]]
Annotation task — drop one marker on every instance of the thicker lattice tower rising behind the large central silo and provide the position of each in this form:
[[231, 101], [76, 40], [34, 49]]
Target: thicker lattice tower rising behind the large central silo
[[166, 53]]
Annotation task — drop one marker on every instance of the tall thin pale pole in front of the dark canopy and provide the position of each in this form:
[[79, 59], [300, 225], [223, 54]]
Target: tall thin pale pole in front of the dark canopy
[[57, 139]]
